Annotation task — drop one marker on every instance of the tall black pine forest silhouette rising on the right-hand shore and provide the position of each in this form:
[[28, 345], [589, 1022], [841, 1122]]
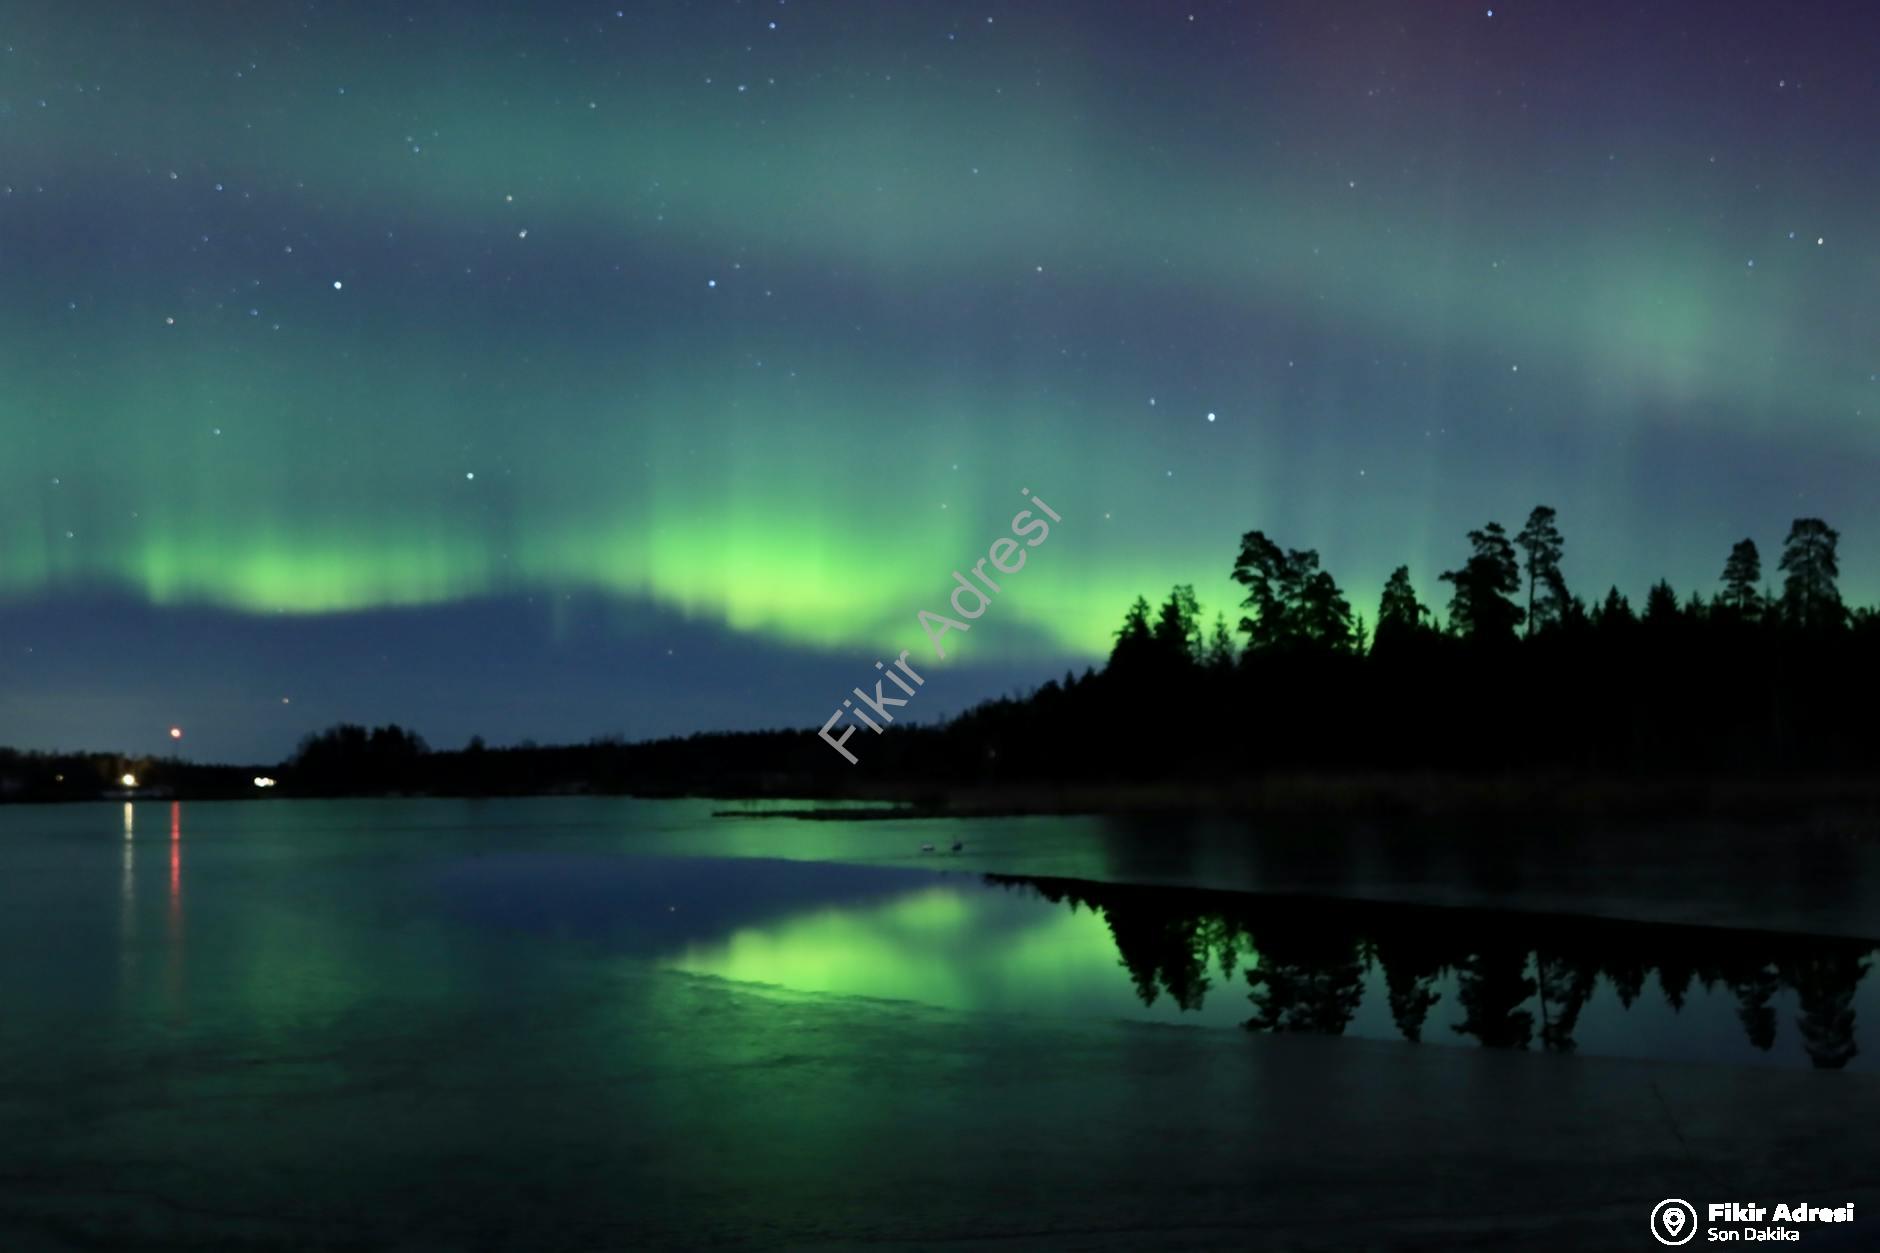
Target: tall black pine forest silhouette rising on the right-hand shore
[[1522, 674]]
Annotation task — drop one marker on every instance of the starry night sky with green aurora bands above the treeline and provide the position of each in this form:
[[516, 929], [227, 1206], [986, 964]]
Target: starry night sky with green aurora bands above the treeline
[[569, 370]]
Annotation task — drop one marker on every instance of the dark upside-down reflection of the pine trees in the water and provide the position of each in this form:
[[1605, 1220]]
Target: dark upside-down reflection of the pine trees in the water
[[1518, 977]]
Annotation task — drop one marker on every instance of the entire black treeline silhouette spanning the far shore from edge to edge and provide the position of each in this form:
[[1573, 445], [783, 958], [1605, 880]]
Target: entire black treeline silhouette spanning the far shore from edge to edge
[[1520, 674]]
